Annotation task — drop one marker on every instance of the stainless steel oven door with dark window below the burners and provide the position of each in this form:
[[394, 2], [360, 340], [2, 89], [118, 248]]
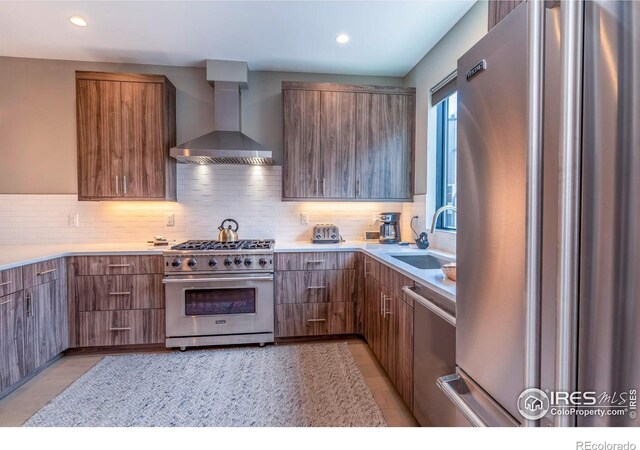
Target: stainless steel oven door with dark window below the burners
[[219, 305]]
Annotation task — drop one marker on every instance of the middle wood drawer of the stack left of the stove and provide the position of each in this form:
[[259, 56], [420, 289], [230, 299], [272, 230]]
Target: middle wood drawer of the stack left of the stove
[[113, 292]]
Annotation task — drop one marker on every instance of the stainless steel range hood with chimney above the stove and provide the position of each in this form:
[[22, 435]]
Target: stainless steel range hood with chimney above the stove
[[226, 144]]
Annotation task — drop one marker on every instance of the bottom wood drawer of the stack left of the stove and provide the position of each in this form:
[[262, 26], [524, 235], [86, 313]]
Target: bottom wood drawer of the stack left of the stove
[[121, 327]]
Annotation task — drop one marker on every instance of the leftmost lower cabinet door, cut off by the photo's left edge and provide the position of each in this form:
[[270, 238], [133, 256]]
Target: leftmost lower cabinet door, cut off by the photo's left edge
[[11, 339]]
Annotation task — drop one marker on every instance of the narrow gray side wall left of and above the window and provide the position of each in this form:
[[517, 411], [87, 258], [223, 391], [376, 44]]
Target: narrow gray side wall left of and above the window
[[435, 66]]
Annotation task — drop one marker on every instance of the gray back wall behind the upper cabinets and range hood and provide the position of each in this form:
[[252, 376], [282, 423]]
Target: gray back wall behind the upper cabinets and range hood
[[38, 124]]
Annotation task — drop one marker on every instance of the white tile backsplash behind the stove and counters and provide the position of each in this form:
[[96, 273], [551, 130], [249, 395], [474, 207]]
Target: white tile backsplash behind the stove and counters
[[206, 196]]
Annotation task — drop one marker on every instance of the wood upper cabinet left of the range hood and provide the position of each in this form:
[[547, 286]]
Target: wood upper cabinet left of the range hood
[[126, 126]]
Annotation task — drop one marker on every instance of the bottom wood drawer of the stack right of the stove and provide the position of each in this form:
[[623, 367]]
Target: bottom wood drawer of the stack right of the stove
[[314, 319]]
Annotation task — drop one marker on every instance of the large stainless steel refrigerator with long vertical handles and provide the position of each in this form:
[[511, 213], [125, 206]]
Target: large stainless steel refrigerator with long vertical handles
[[492, 244]]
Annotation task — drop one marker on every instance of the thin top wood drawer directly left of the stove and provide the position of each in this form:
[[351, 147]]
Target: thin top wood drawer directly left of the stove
[[118, 265]]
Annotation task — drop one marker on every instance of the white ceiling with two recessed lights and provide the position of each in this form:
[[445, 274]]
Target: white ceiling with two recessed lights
[[387, 37]]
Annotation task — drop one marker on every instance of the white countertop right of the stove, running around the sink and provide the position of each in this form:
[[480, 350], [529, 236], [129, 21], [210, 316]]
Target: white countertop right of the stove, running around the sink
[[431, 278]]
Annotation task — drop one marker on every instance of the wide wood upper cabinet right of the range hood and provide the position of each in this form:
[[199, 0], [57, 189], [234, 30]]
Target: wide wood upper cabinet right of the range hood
[[348, 142]]
